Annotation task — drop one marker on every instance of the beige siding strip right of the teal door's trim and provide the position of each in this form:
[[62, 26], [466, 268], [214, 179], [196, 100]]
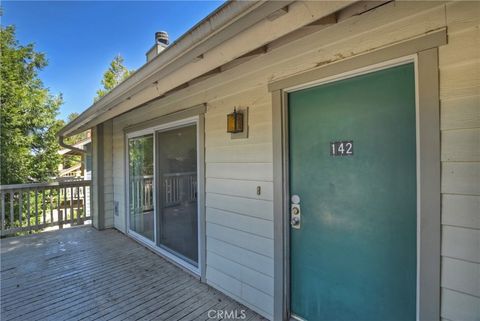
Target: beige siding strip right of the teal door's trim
[[460, 125]]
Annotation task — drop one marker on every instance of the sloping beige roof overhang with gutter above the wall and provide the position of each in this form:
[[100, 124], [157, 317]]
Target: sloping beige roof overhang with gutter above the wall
[[216, 29]]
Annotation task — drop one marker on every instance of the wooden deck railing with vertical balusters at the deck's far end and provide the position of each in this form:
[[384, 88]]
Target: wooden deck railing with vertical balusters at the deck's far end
[[33, 207]]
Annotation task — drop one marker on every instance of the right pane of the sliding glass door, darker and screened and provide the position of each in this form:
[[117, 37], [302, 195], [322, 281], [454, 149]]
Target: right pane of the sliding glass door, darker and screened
[[177, 188]]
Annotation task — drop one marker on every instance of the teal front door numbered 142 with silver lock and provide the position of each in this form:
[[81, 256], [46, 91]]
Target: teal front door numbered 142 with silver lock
[[352, 158]]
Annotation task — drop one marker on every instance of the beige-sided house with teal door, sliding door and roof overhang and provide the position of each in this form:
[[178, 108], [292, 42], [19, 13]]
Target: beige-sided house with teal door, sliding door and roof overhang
[[353, 190]]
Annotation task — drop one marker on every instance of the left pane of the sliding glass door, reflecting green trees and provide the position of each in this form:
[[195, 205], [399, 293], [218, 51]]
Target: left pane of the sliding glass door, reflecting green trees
[[140, 169]]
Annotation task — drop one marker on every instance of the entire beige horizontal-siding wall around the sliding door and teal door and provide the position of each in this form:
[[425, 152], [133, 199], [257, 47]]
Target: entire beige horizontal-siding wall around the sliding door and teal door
[[239, 222]]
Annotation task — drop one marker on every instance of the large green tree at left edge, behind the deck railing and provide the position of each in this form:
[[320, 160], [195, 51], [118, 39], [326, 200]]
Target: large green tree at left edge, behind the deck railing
[[28, 123]]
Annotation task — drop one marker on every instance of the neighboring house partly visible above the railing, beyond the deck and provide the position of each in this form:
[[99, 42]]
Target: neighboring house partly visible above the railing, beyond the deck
[[82, 167]]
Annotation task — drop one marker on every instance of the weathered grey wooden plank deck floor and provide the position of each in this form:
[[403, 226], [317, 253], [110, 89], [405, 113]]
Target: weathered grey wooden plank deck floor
[[85, 274]]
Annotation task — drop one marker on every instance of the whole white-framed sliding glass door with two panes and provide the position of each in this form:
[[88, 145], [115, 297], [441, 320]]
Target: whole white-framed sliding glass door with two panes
[[162, 190]]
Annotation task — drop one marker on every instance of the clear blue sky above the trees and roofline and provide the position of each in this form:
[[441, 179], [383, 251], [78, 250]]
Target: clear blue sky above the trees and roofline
[[80, 38]]
